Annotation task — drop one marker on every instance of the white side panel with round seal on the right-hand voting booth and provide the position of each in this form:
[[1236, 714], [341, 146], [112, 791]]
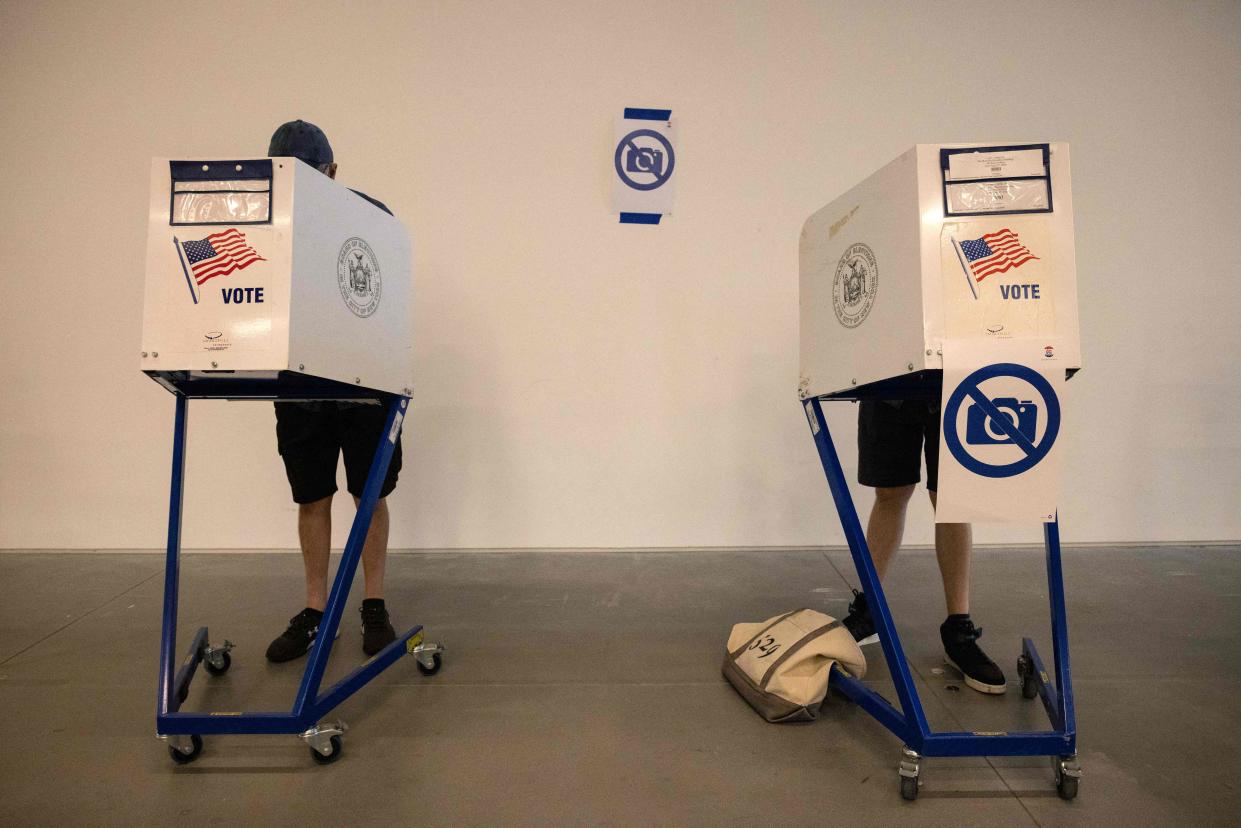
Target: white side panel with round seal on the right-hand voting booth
[[861, 289]]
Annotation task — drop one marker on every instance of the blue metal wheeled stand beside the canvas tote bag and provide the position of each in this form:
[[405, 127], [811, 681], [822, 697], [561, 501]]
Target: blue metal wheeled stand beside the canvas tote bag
[[909, 724]]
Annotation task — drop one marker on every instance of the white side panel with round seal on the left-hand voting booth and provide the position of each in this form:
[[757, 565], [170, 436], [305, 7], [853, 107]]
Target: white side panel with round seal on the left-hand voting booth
[[352, 289]]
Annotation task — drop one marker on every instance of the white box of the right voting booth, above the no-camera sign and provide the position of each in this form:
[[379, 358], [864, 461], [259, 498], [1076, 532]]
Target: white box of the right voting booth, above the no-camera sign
[[950, 241]]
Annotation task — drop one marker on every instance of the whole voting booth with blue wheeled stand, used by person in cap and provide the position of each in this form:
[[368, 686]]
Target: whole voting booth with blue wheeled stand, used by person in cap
[[267, 280]]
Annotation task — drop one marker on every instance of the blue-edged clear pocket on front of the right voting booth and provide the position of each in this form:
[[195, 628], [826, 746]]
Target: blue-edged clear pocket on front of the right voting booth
[[997, 181]]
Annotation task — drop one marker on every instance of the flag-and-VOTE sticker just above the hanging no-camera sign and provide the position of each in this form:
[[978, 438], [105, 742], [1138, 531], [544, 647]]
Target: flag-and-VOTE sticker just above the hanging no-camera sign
[[998, 279]]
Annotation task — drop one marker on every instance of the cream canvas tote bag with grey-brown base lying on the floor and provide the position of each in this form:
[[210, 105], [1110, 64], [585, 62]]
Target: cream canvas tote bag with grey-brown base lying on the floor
[[781, 666]]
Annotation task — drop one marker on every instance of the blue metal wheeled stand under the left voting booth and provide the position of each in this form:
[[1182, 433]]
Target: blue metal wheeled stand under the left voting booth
[[183, 731]]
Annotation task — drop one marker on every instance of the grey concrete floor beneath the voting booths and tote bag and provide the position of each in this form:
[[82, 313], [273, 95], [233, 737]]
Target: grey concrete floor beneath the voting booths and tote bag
[[585, 688]]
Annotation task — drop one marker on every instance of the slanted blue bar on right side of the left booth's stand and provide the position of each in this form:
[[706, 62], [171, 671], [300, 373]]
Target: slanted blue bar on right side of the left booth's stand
[[339, 595]]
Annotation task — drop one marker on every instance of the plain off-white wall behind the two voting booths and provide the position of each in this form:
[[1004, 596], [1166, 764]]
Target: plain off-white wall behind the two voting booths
[[581, 383]]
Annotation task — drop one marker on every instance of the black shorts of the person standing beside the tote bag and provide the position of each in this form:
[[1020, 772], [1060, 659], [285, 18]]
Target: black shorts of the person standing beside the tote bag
[[892, 440]]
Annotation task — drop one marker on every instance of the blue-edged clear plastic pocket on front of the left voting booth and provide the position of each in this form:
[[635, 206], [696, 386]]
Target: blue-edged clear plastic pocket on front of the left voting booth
[[222, 193]]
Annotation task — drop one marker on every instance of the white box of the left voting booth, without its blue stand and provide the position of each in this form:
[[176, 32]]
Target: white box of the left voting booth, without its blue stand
[[262, 268]]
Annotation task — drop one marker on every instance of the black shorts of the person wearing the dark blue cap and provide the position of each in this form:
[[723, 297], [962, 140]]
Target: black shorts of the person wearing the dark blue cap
[[312, 438]]
